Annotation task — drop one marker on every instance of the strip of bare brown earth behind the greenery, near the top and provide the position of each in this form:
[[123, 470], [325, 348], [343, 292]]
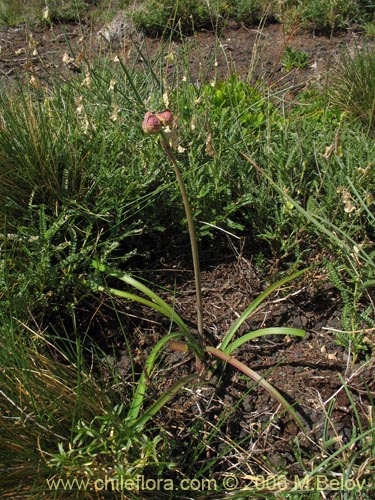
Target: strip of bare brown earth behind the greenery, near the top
[[247, 52]]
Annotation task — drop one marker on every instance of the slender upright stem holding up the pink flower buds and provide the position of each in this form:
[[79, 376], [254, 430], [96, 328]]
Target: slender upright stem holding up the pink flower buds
[[192, 233]]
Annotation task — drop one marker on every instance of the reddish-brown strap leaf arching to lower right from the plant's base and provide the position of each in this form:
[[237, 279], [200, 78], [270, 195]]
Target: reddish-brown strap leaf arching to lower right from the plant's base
[[258, 379]]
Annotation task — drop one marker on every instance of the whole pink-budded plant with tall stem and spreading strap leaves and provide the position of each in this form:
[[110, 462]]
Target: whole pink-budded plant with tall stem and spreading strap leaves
[[182, 339]]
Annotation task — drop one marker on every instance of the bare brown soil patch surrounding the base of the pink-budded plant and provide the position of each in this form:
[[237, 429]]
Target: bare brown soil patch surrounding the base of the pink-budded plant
[[306, 371]]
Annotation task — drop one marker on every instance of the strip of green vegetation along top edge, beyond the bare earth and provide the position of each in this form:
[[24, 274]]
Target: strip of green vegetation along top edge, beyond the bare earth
[[156, 17]]
